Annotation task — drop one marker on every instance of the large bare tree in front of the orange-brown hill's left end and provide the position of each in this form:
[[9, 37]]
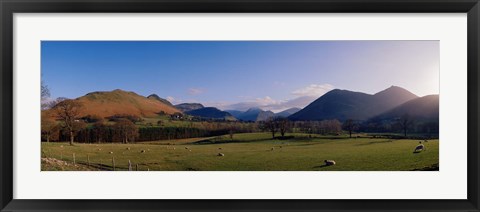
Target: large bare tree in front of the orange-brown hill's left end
[[69, 111]]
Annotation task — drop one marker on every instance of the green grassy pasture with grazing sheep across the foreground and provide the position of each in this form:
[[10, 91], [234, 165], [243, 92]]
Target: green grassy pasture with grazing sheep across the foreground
[[247, 152]]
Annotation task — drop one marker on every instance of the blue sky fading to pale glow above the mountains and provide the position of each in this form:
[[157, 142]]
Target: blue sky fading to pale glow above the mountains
[[273, 75]]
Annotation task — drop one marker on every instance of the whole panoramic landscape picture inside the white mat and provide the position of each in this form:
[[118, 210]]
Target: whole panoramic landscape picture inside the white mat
[[240, 106]]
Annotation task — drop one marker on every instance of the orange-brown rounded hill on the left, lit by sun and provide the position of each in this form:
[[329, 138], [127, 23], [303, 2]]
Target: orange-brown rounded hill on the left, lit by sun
[[109, 103]]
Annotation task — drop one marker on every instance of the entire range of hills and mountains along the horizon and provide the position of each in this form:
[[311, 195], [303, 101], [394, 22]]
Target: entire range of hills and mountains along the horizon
[[336, 104]]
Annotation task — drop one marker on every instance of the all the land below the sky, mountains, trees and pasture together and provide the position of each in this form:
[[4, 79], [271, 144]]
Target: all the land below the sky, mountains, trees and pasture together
[[360, 132]]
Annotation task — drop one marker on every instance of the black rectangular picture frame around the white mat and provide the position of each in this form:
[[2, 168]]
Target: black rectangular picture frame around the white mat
[[9, 7]]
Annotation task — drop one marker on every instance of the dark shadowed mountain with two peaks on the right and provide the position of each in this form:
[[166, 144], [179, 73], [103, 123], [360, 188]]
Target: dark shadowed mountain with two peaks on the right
[[344, 104]]
